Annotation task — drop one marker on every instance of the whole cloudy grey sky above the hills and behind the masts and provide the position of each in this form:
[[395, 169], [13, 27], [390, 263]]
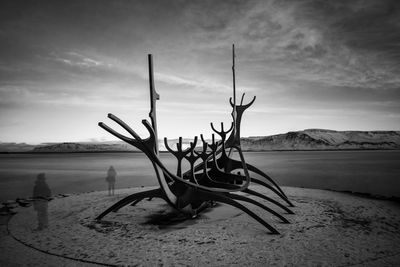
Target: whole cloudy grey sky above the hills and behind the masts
[[64, 65]]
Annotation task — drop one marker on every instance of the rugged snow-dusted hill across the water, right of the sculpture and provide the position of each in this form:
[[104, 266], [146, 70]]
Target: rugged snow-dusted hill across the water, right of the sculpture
[[320, 139]]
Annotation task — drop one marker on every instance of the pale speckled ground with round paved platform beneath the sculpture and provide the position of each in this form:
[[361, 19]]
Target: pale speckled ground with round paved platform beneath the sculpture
[[328, 229]]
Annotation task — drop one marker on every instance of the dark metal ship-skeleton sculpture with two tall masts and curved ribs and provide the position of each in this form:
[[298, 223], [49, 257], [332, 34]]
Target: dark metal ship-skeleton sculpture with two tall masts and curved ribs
[[211, 176]]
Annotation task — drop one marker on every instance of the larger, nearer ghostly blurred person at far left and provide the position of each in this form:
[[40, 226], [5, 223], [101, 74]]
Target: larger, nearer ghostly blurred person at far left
[[41, 195]]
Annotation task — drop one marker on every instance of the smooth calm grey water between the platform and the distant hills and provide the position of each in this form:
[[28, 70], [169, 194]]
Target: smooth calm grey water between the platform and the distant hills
[[376, 172]]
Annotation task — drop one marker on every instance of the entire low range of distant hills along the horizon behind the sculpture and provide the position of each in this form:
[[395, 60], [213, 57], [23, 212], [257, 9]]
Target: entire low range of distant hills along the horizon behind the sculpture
[[310, 139]]
